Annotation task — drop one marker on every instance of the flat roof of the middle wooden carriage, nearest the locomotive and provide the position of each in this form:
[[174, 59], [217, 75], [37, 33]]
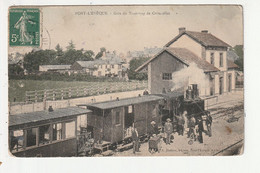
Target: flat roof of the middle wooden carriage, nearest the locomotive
[[125, 102]]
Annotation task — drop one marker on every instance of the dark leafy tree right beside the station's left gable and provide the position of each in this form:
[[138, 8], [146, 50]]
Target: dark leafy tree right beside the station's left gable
[[134, 64]]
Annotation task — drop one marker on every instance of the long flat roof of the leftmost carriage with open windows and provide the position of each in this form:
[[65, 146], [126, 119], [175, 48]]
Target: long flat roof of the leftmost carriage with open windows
[[35, 117]]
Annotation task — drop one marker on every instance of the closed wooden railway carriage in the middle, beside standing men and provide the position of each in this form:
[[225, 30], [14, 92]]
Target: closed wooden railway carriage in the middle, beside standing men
[[111, 120]]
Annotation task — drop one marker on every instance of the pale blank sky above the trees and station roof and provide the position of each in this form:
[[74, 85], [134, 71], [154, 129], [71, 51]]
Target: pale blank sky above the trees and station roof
[[127, 28]]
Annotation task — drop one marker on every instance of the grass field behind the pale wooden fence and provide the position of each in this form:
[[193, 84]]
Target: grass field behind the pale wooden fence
[[17, 88]]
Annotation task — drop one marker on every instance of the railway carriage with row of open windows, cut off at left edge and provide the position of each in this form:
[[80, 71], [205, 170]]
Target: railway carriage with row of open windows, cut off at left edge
[[45, 133]]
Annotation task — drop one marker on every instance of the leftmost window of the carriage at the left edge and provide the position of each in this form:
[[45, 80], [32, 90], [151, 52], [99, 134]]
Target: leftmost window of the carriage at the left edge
[[17, 140]]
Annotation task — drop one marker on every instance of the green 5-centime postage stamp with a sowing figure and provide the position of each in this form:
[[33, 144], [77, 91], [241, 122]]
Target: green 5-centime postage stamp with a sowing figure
[[24, 27]]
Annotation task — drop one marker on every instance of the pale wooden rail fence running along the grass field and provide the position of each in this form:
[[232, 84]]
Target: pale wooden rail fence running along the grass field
[[75, 92]]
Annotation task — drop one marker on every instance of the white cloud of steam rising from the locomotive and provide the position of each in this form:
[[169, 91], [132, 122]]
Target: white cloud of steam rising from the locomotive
[[190, 75]]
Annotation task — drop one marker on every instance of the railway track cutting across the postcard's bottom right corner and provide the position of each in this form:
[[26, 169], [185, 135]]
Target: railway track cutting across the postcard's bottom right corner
[[234, 149]]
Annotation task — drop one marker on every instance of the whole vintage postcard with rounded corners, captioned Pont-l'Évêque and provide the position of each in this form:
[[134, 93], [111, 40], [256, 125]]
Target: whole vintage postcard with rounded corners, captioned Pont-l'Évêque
[[129, 80]]
